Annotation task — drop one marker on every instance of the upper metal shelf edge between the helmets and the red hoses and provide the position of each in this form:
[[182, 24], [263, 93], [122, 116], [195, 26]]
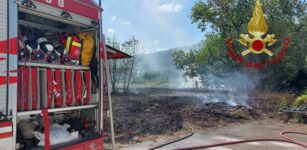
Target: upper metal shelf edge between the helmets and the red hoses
[[55, 66]]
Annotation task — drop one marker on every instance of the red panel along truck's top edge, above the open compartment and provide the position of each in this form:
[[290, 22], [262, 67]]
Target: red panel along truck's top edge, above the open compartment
[[80, 7]]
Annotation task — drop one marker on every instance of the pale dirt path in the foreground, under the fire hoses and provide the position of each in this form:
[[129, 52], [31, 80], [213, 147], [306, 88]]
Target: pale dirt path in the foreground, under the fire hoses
[[257, 129]]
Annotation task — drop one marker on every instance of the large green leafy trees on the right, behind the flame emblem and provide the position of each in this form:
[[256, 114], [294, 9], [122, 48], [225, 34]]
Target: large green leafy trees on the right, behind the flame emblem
[[222, 19]]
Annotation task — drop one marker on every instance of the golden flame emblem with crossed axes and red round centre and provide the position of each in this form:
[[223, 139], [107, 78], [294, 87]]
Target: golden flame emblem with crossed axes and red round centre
[[257, 27]]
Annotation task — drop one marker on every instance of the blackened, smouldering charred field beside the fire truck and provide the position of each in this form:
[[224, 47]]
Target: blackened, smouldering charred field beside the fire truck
[[155, 111]]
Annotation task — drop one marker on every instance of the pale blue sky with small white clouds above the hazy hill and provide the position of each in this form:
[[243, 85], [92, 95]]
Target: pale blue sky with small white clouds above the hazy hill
[[158, 24]]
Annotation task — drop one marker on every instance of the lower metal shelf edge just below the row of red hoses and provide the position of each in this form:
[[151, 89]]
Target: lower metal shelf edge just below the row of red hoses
[[33, 112]]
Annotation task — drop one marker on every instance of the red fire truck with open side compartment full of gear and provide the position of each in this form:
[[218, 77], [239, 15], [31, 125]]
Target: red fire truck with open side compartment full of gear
[[52, 99]]
